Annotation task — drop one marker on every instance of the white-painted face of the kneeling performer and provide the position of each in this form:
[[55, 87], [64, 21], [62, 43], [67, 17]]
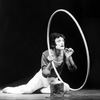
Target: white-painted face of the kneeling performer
[[60, 43]]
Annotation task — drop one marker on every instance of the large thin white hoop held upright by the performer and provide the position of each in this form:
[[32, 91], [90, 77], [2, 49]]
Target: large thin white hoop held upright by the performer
[[84, 40]]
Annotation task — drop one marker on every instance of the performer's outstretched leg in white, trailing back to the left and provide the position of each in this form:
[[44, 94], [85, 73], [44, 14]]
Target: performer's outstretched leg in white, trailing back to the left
[[34, 84]]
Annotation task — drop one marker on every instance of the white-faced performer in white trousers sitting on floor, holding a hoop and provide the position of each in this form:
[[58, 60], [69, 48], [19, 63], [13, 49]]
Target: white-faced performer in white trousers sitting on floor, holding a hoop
[[46, 75]]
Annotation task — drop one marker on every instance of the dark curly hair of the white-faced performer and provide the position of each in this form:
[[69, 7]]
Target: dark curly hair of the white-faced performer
[[53, 36]]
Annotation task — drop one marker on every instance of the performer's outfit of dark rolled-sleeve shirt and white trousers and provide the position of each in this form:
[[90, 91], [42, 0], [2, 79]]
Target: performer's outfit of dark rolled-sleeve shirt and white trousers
[[40, 80]]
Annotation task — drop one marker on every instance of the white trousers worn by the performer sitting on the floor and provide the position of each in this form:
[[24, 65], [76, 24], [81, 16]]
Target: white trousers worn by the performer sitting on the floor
[[37, 82]]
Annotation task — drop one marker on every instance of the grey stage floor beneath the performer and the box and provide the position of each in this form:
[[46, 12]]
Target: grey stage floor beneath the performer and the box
[[78, 95]]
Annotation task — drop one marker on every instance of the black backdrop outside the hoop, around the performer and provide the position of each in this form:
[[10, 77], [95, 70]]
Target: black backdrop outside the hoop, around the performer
[[23, 26]]
